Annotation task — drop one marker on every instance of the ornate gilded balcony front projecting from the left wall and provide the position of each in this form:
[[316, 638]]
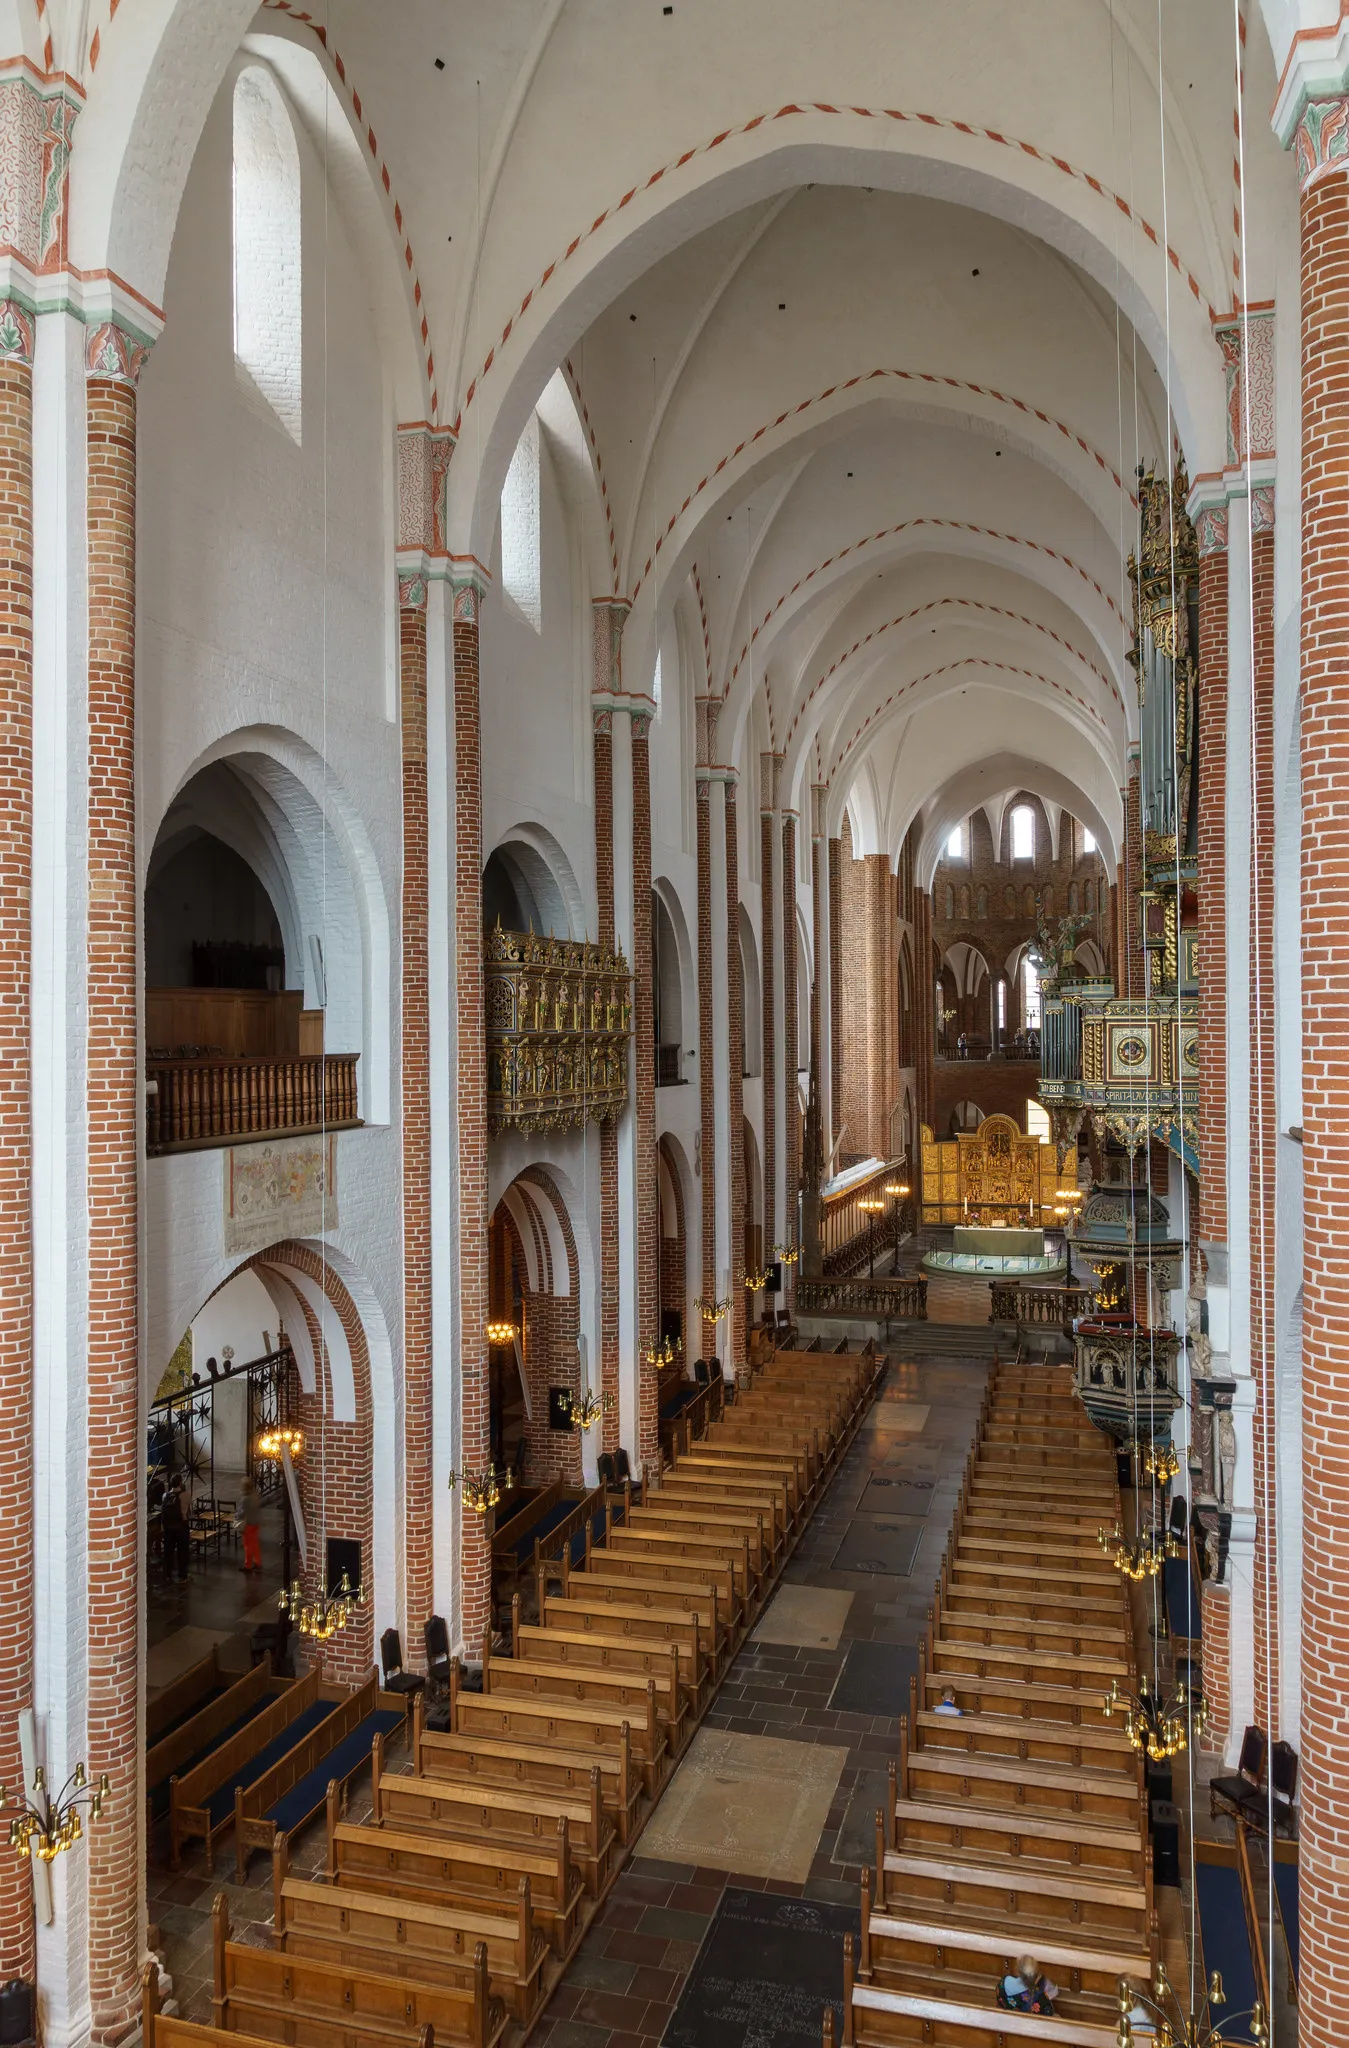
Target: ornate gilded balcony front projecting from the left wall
[[560, 1017]]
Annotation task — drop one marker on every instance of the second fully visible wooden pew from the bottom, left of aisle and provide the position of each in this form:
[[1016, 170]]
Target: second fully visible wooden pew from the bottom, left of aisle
[[460, 1871]]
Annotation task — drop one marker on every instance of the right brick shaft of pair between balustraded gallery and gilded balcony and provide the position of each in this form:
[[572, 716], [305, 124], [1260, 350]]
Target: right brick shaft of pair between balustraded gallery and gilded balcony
[[472, 1109]]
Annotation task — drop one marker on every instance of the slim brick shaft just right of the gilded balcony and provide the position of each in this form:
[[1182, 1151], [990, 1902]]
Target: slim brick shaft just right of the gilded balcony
[[644, 1031]]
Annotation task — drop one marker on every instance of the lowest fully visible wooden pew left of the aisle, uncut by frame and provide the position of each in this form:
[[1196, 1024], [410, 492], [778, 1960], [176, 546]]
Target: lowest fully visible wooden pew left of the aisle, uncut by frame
[[408, 1938]]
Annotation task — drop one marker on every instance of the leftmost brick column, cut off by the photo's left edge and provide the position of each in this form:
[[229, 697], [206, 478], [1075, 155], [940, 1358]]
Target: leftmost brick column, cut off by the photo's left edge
[[17, 1932]]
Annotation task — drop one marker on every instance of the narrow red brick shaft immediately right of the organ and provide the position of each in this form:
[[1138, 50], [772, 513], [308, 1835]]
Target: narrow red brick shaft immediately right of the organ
[[1213, 894]]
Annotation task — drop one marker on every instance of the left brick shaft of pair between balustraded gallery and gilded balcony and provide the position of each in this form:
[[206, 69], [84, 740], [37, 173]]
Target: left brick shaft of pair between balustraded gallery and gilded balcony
[[417, 1129]]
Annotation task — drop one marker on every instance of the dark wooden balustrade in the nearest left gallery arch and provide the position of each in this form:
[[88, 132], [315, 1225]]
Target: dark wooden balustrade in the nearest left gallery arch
[[200, 1103]]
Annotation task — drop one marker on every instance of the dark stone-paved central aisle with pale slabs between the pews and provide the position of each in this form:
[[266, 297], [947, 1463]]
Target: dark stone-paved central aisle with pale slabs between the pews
[[724, 1928]]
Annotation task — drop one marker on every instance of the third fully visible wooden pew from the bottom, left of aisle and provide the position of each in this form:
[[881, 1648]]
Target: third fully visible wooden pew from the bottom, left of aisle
[[486, 1811]]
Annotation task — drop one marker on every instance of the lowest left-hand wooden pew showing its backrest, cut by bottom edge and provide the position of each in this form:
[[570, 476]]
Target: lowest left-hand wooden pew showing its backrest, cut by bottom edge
[[316, 2004]]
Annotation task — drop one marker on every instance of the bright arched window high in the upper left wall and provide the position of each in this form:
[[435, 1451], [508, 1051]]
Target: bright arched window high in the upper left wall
[[267, 249]]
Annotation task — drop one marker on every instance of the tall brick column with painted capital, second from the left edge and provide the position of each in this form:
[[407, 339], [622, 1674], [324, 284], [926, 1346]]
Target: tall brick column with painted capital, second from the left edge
[[116, 1453]]
